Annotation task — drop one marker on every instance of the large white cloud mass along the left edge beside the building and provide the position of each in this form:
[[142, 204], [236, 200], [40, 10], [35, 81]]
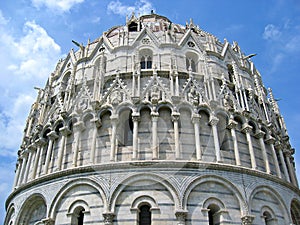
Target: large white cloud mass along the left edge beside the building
[[28, 60]]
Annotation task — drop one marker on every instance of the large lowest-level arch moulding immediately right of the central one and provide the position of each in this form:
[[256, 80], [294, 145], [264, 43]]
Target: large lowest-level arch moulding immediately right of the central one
[[212, 178]]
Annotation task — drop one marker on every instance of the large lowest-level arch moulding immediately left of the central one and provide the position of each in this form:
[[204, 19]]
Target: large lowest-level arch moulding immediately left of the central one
[[67, 187]]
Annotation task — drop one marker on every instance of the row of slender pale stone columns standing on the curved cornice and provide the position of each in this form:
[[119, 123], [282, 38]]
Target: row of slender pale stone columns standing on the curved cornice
[[30, 161]]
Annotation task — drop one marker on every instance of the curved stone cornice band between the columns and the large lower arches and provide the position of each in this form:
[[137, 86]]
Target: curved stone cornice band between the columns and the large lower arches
[[182, 165]]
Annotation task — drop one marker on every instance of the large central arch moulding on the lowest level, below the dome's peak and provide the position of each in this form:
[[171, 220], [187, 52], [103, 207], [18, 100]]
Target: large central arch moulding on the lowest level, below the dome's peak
[[139, 177]]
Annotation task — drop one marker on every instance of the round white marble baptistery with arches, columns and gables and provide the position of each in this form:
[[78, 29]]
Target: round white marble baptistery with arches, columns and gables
[[155, 123]]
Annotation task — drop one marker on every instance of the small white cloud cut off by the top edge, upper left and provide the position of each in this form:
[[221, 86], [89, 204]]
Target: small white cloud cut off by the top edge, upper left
[[60, 5]]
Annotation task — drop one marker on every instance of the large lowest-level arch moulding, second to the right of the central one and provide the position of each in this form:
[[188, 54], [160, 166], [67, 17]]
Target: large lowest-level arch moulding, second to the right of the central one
[[272, 192]]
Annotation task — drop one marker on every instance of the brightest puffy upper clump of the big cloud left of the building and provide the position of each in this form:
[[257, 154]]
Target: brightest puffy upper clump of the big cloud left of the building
[[33, 53]]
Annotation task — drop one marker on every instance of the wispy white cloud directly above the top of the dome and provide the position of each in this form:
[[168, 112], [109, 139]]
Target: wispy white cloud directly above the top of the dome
[[142, 7]]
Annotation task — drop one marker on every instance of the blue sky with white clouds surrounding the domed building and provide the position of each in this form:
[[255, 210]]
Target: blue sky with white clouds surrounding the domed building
[[35, 34]]
